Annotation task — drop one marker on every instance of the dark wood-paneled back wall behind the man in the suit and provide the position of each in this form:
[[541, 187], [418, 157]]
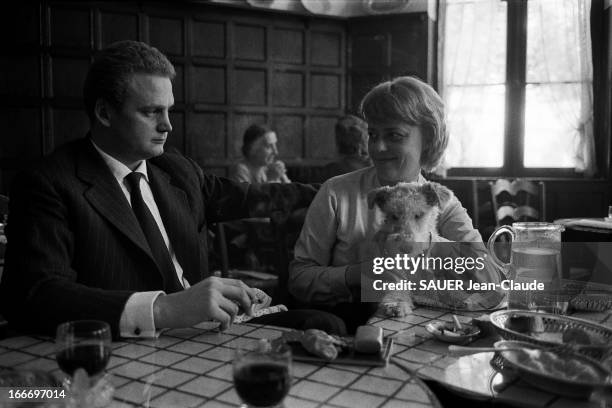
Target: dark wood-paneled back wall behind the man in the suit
[[234, 67]]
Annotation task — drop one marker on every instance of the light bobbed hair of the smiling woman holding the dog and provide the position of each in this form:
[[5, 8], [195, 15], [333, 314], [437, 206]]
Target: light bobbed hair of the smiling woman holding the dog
[[412, 101]]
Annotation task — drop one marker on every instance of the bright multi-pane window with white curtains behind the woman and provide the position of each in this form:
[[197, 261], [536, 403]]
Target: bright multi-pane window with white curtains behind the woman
[[517, 83]]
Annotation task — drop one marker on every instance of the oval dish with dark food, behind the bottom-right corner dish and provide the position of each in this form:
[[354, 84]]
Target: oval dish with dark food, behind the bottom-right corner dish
[[550, 330]]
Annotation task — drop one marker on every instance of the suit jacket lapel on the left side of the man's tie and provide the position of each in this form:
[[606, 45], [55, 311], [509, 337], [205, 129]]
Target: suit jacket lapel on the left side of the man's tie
[[106, 196]]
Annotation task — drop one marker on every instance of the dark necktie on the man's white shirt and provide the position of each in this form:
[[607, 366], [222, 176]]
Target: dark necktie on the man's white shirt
[[153, 235]]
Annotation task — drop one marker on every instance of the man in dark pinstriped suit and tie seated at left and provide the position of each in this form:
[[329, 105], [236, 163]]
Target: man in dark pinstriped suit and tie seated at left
[[111, 227]]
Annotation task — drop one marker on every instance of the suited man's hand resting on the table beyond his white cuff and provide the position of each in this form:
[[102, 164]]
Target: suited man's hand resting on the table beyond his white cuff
[[213, 298]]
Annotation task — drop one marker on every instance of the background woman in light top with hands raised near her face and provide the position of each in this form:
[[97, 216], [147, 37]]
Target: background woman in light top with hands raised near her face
[[259, 164]]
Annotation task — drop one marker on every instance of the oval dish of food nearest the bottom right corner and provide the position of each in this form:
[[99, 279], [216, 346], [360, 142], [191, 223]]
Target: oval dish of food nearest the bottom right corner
[[558, 371]]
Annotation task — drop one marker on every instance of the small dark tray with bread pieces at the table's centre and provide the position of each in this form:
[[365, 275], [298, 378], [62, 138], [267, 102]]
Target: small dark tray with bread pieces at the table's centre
[[366, 348]]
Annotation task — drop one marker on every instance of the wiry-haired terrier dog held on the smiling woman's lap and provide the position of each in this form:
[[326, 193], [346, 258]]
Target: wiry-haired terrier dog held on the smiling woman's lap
[[410, 215]]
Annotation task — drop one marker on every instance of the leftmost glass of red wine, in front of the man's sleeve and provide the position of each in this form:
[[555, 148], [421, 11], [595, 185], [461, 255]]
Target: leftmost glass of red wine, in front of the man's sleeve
[[83, 344]]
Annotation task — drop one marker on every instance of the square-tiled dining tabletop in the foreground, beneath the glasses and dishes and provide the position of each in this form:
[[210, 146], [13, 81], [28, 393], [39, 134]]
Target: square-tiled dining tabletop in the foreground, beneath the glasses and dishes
[[192, 367]]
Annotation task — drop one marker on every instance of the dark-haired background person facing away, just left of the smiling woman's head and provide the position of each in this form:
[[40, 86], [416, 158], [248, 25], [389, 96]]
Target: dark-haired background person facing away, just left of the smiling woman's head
[[352, 147]]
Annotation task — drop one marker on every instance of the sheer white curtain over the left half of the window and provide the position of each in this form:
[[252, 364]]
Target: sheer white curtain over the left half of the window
[[471, 75]]
